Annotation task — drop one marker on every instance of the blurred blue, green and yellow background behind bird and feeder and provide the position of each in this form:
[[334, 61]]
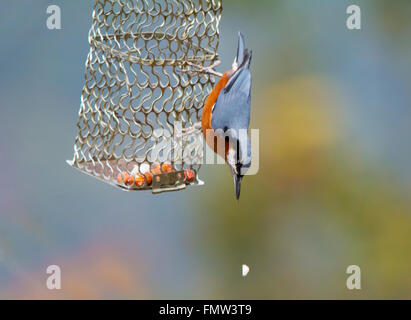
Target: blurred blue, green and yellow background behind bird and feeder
[[333, 109]]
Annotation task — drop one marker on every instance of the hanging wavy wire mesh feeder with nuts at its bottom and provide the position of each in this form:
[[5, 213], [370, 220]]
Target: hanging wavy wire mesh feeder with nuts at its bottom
[[136, 92]]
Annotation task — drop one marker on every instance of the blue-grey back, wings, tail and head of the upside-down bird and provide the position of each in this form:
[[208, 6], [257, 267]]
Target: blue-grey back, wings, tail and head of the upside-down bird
[[231, 114]]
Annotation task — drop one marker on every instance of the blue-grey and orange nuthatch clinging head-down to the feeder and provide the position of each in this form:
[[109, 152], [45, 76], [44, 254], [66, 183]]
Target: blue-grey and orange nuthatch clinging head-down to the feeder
[[226, 115]]
